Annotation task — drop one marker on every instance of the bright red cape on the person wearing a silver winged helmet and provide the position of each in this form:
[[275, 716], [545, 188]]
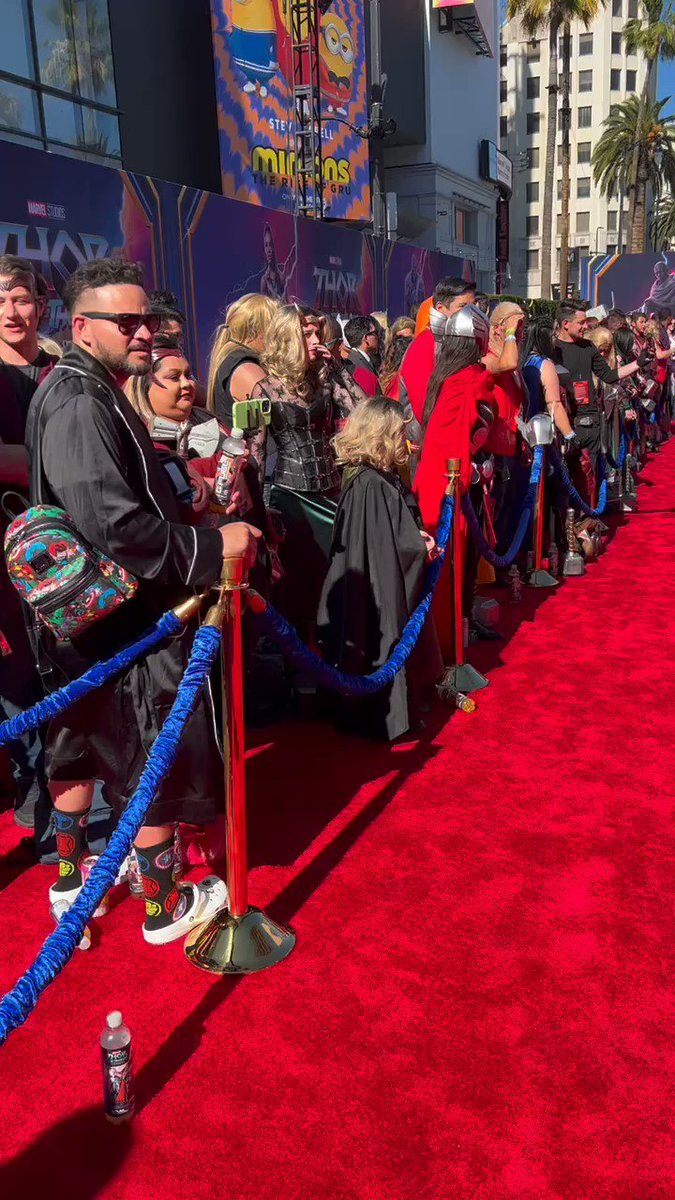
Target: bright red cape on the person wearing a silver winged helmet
[[449, 436]]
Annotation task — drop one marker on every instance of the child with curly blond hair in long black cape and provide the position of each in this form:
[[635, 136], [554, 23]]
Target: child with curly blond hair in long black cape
[[378, 563]]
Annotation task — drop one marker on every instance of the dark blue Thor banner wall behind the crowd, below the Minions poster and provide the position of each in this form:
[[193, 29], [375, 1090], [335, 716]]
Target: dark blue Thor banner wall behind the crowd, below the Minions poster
[[210, 250]]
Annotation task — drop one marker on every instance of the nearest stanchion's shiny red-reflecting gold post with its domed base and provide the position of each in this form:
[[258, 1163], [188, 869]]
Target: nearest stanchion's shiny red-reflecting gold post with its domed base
[[240, 940]]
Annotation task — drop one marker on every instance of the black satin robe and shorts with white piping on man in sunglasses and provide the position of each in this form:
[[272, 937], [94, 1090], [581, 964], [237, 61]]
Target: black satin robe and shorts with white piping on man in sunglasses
[[92, 455]]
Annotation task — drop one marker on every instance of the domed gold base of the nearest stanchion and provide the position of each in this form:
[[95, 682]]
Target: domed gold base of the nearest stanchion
[[232, 945]]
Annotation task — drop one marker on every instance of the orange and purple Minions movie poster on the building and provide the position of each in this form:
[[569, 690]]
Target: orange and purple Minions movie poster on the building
[[254, 63]]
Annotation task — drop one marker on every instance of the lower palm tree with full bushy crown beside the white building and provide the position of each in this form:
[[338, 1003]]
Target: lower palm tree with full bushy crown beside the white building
[[637, 129]]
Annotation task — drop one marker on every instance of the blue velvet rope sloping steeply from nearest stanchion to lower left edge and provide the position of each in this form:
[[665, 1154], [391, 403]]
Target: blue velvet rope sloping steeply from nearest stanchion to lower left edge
[[61, 946]]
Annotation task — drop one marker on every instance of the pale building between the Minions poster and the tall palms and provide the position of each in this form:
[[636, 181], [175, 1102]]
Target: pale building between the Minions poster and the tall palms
[[443, 201]]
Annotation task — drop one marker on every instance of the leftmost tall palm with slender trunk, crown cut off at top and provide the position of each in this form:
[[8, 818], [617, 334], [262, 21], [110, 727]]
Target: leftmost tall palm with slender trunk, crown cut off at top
[[536, 17]]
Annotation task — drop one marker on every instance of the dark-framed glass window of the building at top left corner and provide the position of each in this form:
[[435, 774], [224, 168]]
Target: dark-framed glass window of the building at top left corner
[[67, 97]]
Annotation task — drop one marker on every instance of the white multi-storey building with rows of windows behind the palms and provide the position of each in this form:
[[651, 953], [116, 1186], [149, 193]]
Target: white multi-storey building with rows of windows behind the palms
[[602, 75]]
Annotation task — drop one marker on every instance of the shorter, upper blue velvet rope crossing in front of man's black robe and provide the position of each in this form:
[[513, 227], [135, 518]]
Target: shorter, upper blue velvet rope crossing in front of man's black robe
[[59, 701]]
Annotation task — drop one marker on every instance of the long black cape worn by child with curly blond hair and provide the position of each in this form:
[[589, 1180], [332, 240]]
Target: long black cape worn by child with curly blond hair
[[374, 584]]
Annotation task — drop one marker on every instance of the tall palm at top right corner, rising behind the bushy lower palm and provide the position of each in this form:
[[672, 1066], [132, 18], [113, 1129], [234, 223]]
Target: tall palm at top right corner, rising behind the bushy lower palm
[[653, 37]]
